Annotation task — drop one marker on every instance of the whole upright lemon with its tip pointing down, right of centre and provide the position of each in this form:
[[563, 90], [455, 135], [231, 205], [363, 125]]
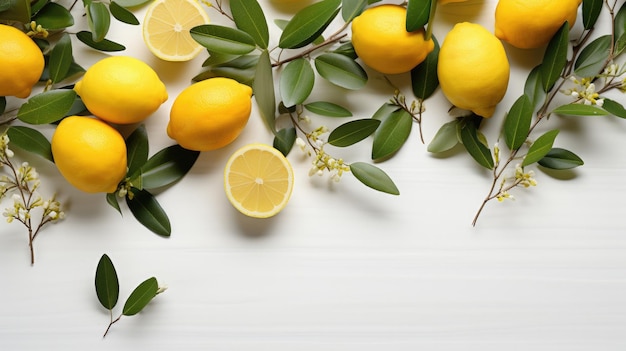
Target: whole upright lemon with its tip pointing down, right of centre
[[473, 69]]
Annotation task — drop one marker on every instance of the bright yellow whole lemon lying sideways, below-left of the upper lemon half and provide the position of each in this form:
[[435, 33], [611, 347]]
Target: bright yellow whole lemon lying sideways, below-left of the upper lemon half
[[121, 90]]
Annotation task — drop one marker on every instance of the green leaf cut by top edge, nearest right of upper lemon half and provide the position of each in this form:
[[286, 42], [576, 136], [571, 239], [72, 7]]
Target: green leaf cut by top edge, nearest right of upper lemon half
[[249, 17]]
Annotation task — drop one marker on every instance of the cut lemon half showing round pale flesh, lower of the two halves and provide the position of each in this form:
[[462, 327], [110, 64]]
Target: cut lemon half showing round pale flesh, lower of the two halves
[[258, 180]]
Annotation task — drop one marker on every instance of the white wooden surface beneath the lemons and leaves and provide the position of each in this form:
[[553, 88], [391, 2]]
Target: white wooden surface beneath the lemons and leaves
[[342, 267]]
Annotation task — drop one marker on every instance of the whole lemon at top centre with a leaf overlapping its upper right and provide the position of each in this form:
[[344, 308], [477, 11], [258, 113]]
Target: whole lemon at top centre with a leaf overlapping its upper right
[[381, 41]]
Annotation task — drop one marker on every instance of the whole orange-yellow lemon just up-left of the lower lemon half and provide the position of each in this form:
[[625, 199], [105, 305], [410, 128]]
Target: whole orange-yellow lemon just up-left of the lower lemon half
[[210, 114]]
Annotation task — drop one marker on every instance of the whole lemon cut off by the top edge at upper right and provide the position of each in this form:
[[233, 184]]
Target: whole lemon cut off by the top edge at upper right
[[529, 24]]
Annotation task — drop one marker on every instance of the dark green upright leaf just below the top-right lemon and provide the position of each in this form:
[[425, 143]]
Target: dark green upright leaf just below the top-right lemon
[[555, 57]]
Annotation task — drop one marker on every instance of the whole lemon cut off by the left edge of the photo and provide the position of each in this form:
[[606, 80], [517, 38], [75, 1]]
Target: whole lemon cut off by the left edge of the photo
[[21, 61]]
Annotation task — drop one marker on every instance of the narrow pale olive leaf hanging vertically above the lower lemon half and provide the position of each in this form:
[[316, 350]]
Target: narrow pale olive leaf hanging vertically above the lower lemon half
[[263, 88]]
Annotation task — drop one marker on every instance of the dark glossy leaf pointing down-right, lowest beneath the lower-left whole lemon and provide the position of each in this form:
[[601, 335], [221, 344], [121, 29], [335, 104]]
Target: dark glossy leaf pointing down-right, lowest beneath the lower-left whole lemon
[[148, 212]]
